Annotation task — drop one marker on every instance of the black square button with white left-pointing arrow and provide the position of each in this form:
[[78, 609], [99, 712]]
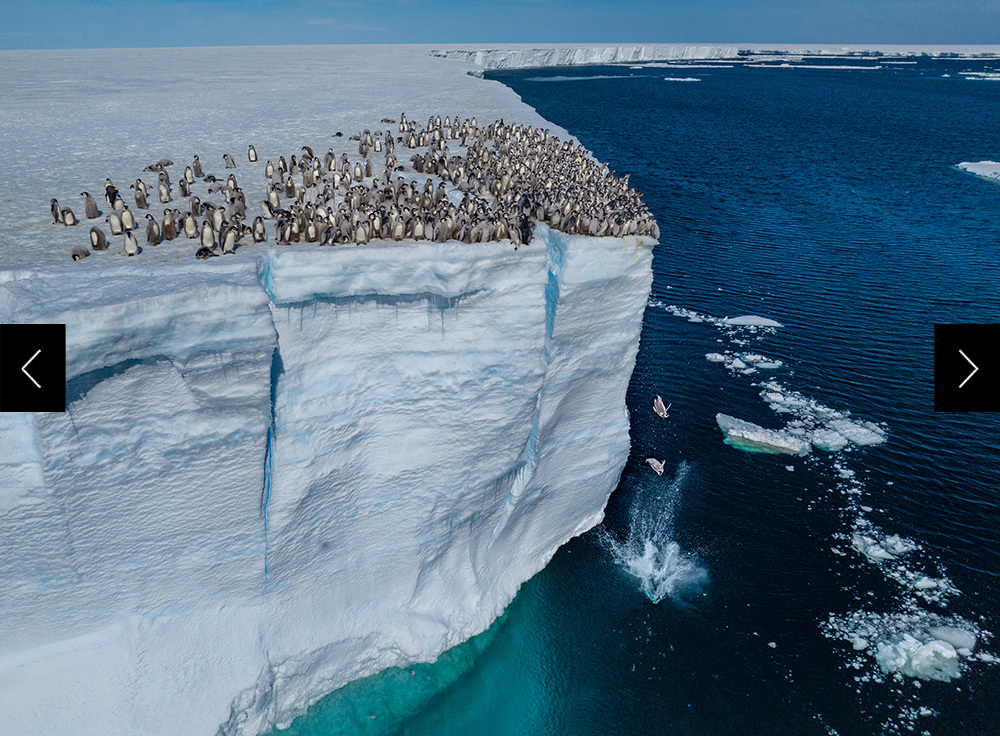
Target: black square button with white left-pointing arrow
[[32, 367]]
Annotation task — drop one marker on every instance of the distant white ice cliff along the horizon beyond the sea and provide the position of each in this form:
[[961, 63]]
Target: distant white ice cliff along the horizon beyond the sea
[[521, 58]]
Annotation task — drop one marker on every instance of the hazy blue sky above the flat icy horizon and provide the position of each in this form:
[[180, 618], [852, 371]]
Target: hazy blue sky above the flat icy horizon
[[38, 24]]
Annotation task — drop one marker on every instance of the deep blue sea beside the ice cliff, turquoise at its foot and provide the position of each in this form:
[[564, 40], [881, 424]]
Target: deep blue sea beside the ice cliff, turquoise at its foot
[[827, 200]]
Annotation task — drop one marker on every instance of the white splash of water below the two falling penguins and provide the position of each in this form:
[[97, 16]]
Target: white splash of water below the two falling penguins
[[649, 552]]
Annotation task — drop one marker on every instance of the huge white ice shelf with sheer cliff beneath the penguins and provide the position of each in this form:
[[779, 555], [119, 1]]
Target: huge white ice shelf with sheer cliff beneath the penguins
[[401, 433]]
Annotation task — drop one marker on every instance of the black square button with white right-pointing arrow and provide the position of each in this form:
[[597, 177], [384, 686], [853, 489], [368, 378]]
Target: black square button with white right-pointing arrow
[[967, 368]]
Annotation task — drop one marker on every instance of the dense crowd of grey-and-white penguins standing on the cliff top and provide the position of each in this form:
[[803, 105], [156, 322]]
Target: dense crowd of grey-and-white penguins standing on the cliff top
[[496, 185]]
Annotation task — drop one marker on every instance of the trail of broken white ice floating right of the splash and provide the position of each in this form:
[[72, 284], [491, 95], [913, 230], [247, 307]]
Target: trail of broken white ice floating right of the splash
[[895, 646]]
